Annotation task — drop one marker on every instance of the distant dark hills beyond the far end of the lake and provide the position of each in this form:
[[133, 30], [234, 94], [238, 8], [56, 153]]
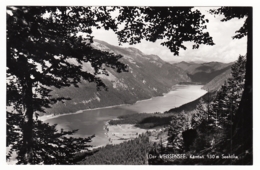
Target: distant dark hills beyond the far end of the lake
[[203, 73]]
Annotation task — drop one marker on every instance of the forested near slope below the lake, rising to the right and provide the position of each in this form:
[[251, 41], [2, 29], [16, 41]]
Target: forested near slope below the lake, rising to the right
[[201, 131]]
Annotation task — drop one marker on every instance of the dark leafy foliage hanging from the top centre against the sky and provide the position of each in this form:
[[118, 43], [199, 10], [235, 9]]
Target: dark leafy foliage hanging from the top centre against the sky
[[173, 25]]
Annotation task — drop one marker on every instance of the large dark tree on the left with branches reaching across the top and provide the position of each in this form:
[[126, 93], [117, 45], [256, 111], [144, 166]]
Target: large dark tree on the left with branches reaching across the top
[[44, 50]]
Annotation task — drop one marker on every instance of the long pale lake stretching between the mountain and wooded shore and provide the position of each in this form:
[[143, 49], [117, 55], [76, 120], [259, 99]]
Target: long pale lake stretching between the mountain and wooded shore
[[91, 122]]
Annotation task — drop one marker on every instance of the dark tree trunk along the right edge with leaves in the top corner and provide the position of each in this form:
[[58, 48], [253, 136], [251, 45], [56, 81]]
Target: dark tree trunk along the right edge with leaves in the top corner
[[243, 123]]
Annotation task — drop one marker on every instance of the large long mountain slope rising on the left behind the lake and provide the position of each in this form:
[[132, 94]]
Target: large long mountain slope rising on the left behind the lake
[[148, 76]]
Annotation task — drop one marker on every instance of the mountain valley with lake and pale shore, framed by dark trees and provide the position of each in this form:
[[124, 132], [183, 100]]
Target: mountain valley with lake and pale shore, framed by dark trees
[[150, 86]]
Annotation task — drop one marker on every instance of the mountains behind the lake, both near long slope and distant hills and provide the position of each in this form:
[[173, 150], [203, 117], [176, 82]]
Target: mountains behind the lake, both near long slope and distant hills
[[148, 76]]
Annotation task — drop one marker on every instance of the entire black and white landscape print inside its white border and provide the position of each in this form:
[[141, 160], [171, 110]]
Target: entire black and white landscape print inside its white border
[[129, 85]]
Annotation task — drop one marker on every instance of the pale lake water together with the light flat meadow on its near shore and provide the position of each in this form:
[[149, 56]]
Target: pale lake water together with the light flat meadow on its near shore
[[99, 123]]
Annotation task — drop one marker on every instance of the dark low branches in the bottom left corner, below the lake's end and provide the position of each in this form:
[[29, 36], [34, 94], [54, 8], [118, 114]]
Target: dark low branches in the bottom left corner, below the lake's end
[[50, 146]]
